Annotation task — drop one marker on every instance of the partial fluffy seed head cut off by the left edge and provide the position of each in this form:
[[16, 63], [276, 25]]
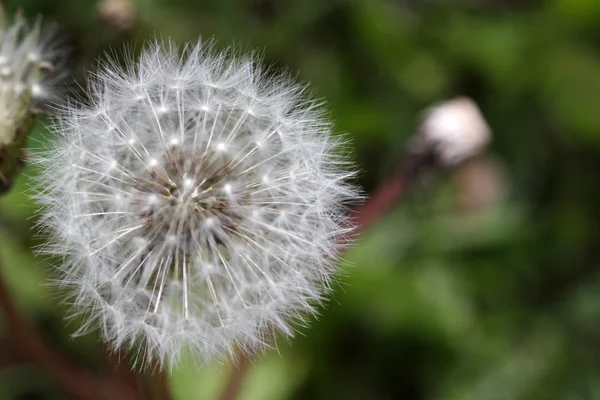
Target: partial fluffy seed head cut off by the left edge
[[27, 69]]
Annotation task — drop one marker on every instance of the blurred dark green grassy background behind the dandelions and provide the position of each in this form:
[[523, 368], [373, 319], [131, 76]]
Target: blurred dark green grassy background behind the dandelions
[[484, 282]]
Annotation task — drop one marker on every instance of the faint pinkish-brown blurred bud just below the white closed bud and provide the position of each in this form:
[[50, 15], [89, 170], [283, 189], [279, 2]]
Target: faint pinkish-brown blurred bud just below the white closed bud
[[481, 183]]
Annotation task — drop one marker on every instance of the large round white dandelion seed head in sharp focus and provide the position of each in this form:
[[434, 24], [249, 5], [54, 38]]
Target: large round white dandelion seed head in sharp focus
[[198, 201]]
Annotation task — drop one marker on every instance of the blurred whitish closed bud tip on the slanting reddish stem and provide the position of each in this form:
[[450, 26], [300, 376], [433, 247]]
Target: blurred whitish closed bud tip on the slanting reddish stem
[[453, 131]]
